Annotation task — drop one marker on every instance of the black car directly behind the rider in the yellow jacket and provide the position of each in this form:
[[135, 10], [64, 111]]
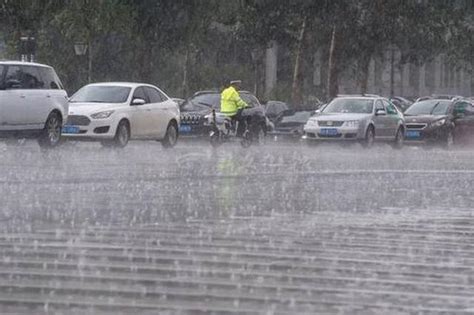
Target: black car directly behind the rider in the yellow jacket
[[195, 112]]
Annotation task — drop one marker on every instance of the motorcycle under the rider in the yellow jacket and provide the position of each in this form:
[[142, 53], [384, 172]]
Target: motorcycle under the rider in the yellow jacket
[[223, 129]]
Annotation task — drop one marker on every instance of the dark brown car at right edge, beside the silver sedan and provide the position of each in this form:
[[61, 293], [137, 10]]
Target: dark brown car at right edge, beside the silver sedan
[[439, 121]]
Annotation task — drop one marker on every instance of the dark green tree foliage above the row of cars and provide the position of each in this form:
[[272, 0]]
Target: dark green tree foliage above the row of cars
[[184, 46]]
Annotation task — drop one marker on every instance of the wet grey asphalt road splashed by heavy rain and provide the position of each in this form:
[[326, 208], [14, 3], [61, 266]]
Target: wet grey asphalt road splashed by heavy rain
[[275, 229]]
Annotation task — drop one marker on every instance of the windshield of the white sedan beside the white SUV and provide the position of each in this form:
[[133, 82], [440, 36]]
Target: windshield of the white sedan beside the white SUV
[[101, 94]]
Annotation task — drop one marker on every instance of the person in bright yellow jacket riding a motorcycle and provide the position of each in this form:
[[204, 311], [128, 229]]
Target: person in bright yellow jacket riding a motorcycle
[[232, 104]]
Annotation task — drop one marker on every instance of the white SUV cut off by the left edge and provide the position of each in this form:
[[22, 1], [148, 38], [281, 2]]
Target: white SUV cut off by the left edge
[[33, 102]]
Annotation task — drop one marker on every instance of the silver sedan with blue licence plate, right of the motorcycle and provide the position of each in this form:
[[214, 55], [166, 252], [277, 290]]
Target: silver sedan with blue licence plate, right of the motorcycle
[[357, 118]]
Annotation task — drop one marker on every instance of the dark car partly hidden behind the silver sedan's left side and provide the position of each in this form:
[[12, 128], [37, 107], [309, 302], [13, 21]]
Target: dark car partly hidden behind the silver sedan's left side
[[290, 124]]
